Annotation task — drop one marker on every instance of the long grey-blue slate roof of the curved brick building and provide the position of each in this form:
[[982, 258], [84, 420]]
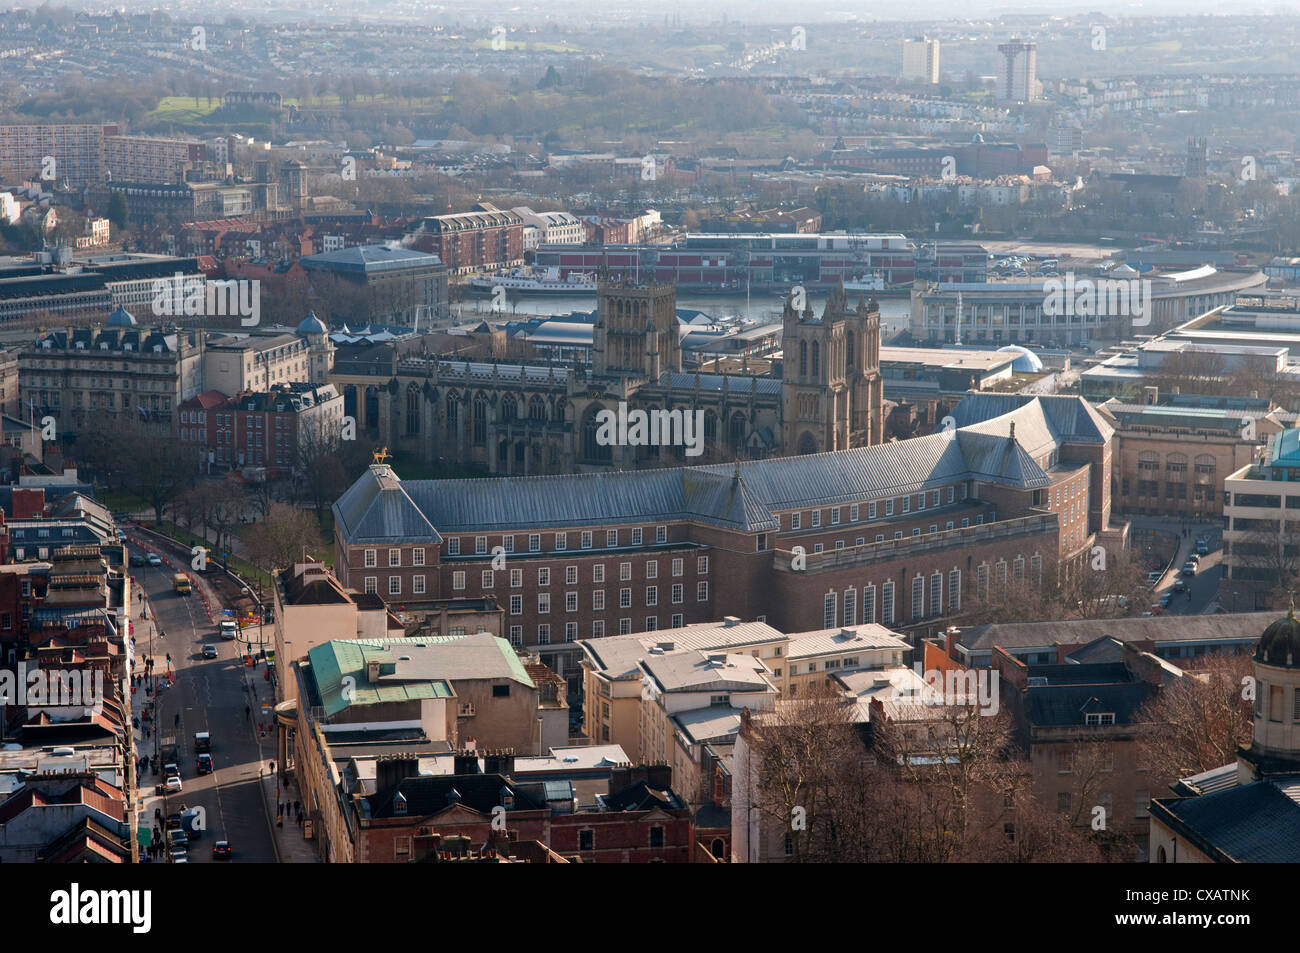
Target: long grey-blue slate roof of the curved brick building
[[380, 508]]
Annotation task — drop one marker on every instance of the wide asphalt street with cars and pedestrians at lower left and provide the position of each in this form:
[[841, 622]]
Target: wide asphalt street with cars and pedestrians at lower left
[[209, 696]]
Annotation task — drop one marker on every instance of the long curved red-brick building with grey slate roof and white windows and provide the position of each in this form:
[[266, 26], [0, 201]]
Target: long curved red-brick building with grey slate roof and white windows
[[894, 534]]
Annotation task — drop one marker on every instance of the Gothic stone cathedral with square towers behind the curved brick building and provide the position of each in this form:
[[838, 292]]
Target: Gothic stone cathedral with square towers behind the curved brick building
[[540, 418]]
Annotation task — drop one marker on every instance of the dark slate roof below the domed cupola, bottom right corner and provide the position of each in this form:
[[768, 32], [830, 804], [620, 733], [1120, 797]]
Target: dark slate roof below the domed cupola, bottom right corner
[[1254, 824]]
